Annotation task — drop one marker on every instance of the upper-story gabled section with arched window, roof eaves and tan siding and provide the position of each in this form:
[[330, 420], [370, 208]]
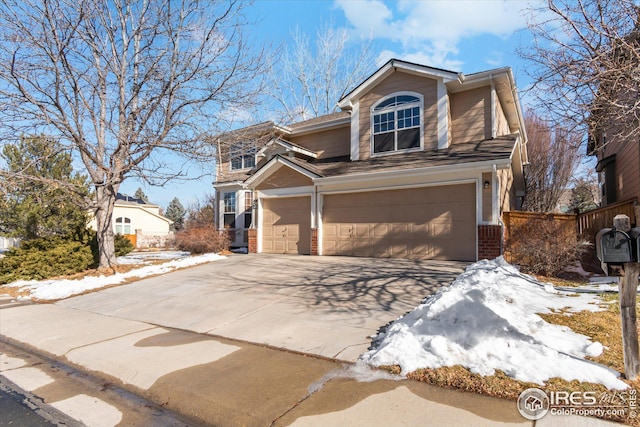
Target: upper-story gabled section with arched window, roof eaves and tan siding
[[441, 107]]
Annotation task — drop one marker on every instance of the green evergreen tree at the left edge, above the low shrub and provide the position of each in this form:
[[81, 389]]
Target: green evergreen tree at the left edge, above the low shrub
[[45, 198]]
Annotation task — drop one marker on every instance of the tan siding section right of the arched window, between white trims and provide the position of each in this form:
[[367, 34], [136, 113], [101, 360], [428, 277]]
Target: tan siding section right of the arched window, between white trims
[[471, 115]]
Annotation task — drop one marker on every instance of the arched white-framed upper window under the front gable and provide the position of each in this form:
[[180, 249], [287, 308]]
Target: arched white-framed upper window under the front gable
[[396, 123]]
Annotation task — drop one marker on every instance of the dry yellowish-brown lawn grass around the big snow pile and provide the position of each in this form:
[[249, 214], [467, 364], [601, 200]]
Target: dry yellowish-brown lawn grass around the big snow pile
[[603, 326]]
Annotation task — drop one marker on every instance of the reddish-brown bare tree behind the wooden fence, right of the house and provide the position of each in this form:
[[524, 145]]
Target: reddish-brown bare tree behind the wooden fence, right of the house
[[553, 156]]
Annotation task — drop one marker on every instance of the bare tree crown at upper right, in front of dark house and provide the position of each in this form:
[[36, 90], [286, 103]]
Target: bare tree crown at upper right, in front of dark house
[[587, 64]]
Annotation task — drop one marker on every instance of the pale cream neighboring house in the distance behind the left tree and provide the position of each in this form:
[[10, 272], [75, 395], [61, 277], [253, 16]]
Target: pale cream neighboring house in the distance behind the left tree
[[139, 221]]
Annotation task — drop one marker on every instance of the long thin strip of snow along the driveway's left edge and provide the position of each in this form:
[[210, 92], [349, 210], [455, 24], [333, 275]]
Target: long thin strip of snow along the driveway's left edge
[[58, 289]]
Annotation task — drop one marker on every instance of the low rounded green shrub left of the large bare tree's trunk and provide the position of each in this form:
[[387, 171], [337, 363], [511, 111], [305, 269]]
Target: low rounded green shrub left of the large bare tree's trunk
[[43, 258]]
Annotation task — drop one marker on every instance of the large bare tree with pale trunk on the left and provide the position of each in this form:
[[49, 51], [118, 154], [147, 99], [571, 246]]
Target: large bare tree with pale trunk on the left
[[123, 84]]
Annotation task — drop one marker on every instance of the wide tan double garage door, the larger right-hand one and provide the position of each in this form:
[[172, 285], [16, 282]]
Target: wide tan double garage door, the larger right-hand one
[[419, 223]]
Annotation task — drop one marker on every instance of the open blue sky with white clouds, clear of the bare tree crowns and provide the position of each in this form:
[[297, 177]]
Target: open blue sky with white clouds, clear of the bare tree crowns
[[459, 35]]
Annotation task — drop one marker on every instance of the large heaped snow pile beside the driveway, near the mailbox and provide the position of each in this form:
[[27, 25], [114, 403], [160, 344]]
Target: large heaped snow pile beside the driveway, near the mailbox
[[486, 320]]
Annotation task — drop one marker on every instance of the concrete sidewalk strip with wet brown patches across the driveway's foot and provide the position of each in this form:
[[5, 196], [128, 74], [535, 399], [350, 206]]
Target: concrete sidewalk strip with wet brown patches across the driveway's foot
[[227, 383]]
